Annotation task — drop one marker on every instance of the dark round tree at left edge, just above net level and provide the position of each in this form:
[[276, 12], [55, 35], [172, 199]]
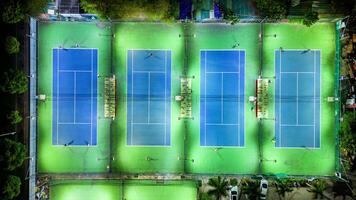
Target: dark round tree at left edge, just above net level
[[14, 82]]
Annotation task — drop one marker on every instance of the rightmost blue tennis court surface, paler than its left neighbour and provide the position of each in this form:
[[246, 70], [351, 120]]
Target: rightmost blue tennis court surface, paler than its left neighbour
[[297, 99]]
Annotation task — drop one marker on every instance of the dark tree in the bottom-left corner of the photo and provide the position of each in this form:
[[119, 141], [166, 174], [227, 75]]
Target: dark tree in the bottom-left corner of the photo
[[10, 188]]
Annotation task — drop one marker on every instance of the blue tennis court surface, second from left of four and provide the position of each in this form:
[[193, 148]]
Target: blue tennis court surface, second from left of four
[[149, 93]]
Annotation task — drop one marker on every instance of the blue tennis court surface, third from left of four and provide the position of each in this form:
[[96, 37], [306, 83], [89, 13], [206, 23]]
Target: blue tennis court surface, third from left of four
[[222, 98]]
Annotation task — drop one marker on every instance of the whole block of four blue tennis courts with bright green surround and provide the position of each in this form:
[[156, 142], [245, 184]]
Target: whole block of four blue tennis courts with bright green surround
[[147, 134]]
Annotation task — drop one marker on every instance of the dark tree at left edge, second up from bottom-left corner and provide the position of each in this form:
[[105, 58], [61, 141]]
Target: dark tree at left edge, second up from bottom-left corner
[[12, 154]]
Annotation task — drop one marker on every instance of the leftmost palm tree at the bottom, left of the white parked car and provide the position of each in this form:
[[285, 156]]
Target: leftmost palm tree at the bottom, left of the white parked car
[[220, 186]]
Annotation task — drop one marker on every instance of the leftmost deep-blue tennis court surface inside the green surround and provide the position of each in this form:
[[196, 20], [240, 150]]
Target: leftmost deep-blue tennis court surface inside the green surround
[[74, 97]]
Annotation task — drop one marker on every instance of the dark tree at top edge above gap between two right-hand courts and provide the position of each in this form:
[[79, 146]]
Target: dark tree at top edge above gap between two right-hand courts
[[273, 9]]
